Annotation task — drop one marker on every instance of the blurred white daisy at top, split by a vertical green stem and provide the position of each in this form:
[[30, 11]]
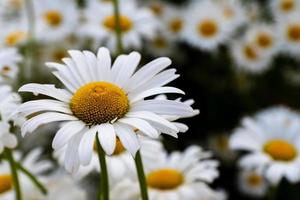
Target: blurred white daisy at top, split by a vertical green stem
[[135, 23]]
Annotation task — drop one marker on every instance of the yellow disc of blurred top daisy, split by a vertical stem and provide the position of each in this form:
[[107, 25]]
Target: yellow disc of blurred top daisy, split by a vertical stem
[[125, 23]]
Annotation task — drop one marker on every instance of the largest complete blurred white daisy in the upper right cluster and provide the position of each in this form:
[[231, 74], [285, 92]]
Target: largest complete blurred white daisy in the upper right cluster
[[205, 26]]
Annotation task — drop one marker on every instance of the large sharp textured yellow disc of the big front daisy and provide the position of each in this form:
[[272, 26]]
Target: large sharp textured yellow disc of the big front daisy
[[99, 102]]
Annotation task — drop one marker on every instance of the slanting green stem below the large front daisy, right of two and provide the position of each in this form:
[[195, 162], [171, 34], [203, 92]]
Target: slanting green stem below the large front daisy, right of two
[[141, 176]]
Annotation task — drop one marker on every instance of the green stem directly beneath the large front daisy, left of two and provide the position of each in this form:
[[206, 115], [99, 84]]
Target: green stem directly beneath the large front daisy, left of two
[[104, 184]]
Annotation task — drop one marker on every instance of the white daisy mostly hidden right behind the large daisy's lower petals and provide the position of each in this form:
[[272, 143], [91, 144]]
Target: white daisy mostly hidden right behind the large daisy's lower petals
[[120, 162]]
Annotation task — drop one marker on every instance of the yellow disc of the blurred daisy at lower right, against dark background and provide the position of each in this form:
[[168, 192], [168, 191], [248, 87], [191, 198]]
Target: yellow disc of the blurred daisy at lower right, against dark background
[[280, 150]]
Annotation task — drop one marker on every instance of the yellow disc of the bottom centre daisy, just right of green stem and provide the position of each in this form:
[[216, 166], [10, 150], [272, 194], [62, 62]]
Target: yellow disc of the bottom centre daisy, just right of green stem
[[165, 179]]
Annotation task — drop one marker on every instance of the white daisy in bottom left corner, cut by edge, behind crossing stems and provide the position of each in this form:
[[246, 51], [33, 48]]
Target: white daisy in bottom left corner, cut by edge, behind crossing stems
[[31, 162]]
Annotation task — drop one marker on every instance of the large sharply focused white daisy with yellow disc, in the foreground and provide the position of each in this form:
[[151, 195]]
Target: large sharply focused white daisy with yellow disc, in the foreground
[[106, 99]]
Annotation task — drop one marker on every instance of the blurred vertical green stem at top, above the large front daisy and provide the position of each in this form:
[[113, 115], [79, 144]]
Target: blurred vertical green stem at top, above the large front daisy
[[118, 27]]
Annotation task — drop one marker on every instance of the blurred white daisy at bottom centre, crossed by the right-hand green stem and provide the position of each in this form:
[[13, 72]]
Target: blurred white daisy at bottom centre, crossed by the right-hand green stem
[[179, 175]]
